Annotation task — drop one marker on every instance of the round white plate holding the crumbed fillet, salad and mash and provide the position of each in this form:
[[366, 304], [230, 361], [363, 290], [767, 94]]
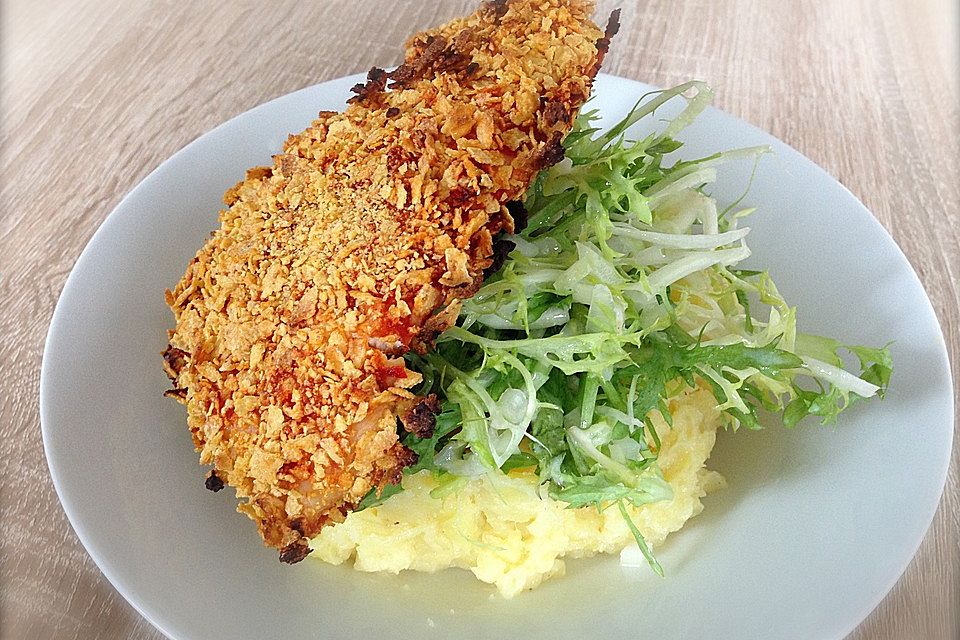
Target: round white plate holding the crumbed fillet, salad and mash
[[817, 525]]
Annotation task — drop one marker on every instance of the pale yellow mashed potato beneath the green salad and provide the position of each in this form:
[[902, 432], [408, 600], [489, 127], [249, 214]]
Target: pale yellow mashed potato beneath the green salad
[[501, 529]]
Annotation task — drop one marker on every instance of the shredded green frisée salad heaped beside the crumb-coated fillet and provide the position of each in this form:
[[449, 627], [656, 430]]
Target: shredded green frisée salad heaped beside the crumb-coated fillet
[[621, 290]]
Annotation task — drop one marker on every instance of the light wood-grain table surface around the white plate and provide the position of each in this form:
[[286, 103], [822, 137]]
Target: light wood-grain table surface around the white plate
[[97, 93]]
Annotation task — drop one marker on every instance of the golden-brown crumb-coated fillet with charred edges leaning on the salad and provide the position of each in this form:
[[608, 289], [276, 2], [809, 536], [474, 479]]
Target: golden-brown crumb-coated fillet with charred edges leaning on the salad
[[357, 245]]
